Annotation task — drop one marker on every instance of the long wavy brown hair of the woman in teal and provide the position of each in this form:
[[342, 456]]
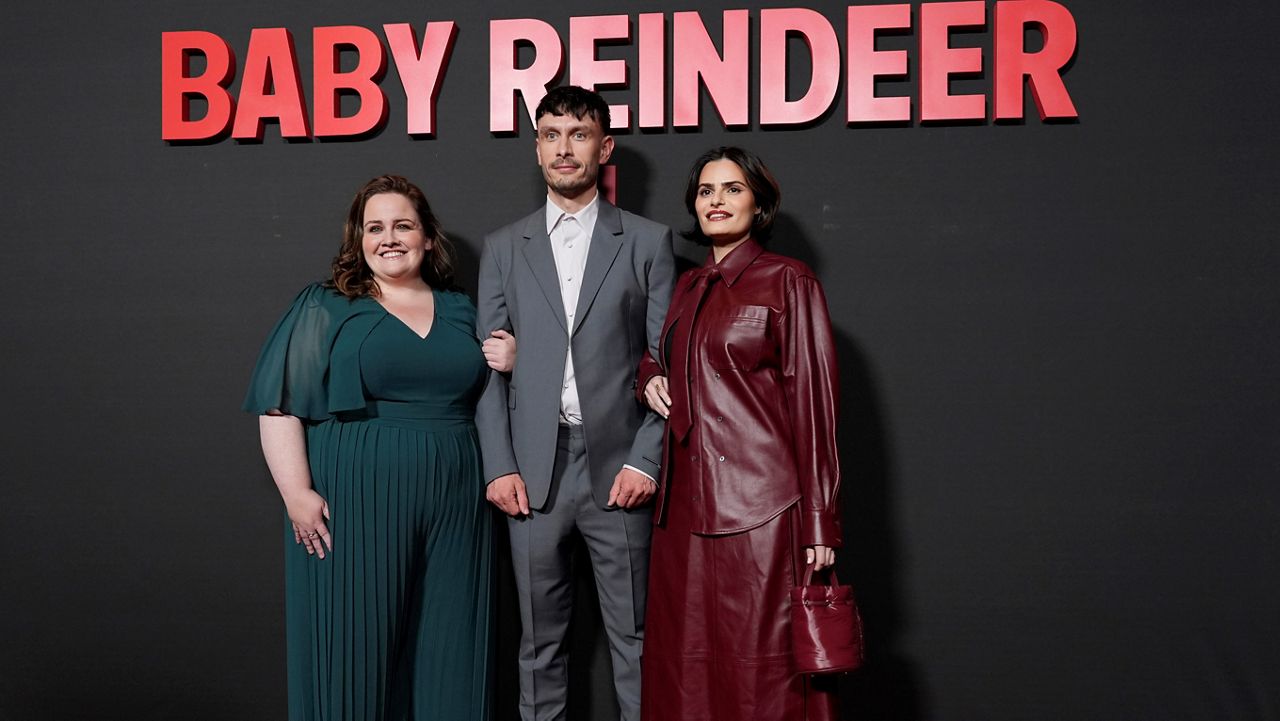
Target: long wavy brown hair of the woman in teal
[[351, 275]]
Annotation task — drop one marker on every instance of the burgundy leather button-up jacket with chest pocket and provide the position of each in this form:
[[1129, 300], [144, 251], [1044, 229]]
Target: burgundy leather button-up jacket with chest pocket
[[764, 396]]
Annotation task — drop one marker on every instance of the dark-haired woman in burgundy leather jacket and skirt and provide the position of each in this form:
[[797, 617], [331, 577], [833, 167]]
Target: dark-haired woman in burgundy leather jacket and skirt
[[746, 376]]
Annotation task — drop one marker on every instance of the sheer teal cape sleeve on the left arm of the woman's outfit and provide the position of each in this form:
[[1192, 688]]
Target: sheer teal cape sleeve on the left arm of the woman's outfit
[[294, 373]]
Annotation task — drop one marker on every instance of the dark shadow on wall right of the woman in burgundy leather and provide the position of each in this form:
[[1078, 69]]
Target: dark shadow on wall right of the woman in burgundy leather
[[889, 687]]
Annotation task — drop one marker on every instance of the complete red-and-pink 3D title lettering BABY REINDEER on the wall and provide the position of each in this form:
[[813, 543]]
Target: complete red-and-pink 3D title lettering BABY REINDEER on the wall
[[671, 54]]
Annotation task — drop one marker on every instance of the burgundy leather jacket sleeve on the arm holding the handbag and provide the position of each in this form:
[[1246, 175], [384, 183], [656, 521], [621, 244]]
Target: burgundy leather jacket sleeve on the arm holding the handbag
[[810, 378]]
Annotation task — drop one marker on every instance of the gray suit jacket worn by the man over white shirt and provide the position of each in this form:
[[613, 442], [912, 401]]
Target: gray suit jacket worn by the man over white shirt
[[627, 289]]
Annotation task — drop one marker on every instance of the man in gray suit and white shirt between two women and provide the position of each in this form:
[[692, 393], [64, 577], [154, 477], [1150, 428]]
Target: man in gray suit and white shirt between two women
[[584, 288]]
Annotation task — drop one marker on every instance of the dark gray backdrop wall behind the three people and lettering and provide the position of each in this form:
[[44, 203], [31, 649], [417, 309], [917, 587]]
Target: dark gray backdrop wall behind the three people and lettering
[[1059, 354]]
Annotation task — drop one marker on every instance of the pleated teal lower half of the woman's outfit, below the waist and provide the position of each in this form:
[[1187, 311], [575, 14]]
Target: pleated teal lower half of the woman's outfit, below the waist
[[394, 626]]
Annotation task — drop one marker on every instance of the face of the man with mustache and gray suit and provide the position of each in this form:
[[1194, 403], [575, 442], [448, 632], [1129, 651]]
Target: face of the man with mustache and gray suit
[[570, 153]]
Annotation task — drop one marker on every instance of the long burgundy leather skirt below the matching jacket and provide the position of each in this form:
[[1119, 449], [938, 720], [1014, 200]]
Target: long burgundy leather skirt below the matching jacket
[[717, 624]]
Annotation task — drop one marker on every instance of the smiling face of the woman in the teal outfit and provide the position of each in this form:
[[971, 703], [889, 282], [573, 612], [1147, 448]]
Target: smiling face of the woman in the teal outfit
[[395, 243]]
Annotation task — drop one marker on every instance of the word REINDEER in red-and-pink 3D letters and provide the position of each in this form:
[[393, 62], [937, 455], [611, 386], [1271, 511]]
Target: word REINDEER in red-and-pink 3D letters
[[721, 66]]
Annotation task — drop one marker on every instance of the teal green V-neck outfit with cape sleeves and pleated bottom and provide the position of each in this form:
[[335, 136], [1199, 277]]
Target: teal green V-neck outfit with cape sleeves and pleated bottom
[[395, 623]]
